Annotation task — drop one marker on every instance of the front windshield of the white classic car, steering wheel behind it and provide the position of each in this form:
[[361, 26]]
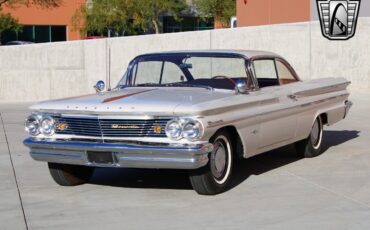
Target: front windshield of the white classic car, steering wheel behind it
[[164, 70]]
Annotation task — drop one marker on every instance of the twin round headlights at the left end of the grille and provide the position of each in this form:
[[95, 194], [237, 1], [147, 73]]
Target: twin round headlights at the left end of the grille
[[37, 124]]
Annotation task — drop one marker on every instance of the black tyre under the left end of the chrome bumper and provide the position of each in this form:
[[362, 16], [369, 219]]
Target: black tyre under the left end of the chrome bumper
[[70, 175]]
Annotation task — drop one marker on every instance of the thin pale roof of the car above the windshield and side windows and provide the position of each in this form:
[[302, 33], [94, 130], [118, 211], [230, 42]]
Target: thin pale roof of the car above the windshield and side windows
[[246, 53]]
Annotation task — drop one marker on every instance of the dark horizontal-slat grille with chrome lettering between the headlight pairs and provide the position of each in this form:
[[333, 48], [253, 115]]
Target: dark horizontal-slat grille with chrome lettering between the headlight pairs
[[100, 127]]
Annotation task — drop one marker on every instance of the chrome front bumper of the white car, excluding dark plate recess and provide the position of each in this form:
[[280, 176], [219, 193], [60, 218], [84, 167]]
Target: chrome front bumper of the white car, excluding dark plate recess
[[123, 155]]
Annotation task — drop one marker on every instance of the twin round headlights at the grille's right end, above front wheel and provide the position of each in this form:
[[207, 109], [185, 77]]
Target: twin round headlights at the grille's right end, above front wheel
[[187, 128]]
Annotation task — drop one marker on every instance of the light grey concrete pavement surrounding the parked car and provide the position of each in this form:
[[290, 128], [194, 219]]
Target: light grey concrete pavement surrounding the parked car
[[275, 190]]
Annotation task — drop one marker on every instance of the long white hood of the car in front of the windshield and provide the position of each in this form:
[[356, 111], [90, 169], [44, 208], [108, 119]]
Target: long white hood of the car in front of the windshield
[[136, 100]]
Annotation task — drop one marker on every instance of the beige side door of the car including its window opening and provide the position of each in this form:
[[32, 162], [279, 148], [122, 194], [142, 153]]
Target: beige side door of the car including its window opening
[[278, 120]]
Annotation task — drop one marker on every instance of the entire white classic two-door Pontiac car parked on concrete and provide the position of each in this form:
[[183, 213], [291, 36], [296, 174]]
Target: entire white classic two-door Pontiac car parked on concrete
[[195, 110]]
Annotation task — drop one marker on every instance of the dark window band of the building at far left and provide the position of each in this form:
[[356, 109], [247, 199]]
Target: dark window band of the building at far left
[[37, 34]]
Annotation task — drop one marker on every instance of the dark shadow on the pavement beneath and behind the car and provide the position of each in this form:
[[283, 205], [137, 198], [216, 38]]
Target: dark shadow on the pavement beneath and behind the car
[[178, 179]]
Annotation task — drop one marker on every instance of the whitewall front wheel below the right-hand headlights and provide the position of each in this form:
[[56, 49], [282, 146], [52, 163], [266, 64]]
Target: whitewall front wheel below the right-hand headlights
[[214, 178]]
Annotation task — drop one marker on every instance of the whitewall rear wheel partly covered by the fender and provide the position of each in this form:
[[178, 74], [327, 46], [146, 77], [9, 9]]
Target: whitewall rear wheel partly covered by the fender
[[311, 146]]
